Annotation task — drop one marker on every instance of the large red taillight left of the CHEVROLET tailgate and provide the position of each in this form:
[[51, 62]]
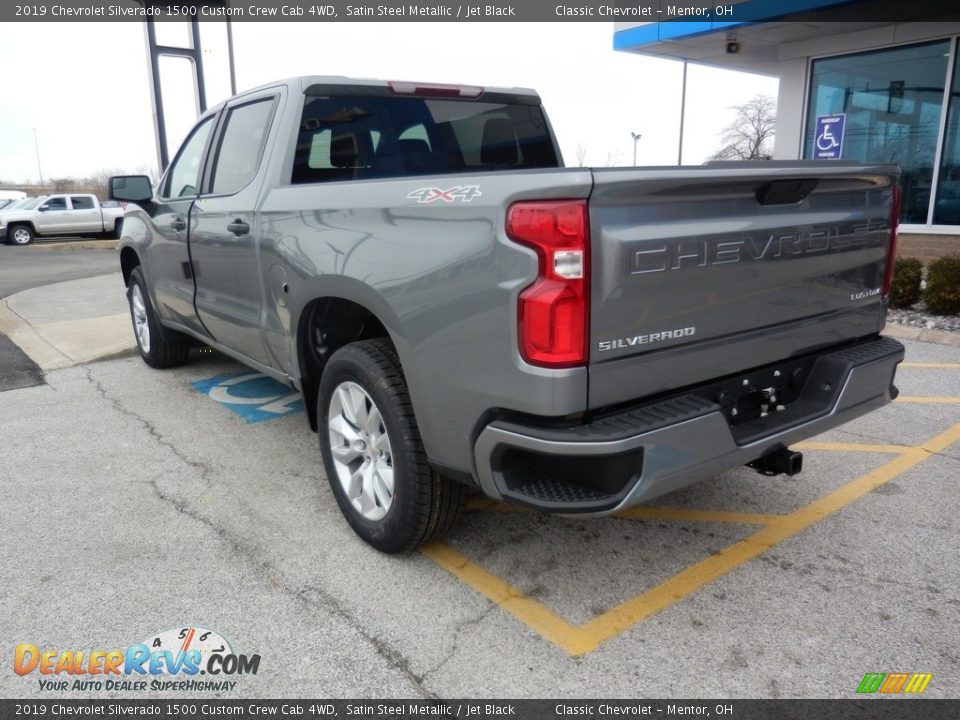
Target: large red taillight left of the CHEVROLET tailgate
[[554, 310]]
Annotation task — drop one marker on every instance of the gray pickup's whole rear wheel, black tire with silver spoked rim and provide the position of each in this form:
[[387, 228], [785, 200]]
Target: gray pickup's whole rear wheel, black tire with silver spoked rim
[[373, 454]]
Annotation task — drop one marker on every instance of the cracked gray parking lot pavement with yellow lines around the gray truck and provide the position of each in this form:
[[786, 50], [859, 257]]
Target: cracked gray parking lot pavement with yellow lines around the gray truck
[[140, 503]]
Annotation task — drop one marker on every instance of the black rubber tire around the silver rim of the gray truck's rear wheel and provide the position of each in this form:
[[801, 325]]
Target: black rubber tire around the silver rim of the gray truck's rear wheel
[[424, 505]]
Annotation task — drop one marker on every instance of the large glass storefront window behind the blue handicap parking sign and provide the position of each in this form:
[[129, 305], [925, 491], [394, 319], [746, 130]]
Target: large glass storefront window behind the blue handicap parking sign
[[892, 101]]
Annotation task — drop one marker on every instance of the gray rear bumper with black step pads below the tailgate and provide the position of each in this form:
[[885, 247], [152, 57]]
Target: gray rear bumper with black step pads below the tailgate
[[638, 454]]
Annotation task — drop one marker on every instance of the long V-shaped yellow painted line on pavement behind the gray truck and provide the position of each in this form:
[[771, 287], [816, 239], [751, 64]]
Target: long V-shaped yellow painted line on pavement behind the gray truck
[[588, 637]]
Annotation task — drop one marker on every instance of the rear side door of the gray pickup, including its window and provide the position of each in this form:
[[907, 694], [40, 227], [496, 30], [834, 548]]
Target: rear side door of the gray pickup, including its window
[[222, 241]]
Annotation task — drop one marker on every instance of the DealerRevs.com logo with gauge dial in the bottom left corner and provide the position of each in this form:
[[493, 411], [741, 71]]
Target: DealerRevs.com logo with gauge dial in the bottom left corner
[[167, 661]]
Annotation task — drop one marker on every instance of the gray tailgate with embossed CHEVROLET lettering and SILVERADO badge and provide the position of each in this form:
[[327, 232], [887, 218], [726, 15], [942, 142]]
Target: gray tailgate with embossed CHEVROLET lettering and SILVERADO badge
[[698, 273]]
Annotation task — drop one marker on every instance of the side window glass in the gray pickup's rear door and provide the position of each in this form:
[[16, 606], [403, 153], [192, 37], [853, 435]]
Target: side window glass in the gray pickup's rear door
[[242, 144]]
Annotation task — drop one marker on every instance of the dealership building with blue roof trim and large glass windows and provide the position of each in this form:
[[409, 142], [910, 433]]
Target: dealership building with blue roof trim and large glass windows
[[851, 88]]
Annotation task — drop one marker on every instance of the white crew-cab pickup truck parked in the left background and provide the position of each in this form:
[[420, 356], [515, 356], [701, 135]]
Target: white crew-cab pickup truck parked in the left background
[[67, 214]]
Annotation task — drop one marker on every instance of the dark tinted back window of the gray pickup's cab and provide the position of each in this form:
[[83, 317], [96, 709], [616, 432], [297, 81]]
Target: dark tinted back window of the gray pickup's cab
[[355, 137]]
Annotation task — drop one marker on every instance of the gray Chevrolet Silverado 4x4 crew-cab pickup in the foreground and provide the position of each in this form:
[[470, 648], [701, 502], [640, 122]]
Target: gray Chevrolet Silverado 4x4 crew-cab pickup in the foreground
[[462, 312]]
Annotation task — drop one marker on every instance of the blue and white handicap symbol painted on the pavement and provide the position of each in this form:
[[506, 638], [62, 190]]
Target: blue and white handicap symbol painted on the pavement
[[253, 396]]
